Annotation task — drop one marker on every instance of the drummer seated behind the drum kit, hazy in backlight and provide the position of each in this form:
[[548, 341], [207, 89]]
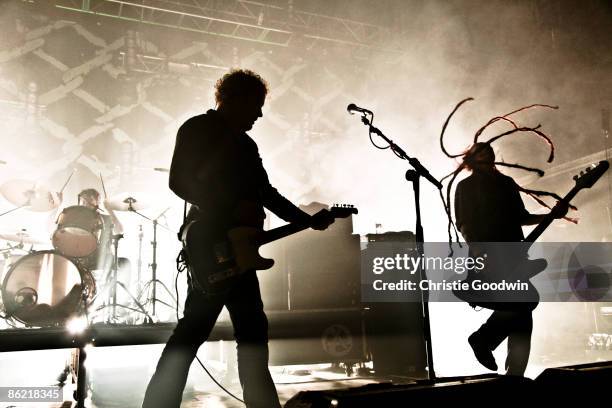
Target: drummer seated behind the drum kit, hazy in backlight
[[102, 257]]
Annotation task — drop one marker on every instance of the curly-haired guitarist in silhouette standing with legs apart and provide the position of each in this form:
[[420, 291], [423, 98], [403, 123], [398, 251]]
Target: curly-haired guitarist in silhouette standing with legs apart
[[216, 167]]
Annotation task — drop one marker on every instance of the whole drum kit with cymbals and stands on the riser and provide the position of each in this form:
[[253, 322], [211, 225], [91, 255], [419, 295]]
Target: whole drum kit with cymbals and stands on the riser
[[42, 288]]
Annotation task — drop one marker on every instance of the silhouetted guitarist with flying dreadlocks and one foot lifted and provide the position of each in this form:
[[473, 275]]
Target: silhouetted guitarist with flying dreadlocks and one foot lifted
[[489, 208]]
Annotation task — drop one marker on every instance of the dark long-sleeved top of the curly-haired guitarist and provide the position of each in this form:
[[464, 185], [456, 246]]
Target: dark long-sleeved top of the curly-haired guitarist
[[215, 169]]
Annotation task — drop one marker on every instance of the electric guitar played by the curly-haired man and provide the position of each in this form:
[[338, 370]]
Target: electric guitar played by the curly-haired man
[[215, 263]]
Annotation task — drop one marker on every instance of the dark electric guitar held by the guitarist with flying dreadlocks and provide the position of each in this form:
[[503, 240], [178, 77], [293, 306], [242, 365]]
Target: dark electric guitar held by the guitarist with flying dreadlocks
[[511, 261]]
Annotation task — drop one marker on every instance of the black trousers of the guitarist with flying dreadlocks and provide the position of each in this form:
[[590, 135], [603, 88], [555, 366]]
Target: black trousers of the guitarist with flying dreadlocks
[[516, 325]]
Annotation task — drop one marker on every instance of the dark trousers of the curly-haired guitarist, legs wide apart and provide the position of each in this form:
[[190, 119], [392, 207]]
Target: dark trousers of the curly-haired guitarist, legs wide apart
[[250, 329]]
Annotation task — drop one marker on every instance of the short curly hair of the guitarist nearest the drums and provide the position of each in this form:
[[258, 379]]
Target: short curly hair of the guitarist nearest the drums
[[237, 83]]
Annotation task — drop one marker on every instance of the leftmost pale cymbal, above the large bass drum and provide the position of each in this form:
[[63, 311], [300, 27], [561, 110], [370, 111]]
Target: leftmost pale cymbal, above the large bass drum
[[31, 195]]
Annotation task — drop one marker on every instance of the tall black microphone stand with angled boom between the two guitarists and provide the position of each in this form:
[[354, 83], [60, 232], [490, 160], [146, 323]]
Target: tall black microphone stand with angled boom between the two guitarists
[[414, 176]]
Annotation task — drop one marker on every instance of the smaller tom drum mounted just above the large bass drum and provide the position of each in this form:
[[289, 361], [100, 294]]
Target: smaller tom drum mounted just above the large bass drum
[[78, 231]]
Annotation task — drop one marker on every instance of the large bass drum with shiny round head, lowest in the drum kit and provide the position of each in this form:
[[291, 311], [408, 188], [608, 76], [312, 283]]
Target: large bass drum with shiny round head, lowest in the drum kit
[[46, 289]]
